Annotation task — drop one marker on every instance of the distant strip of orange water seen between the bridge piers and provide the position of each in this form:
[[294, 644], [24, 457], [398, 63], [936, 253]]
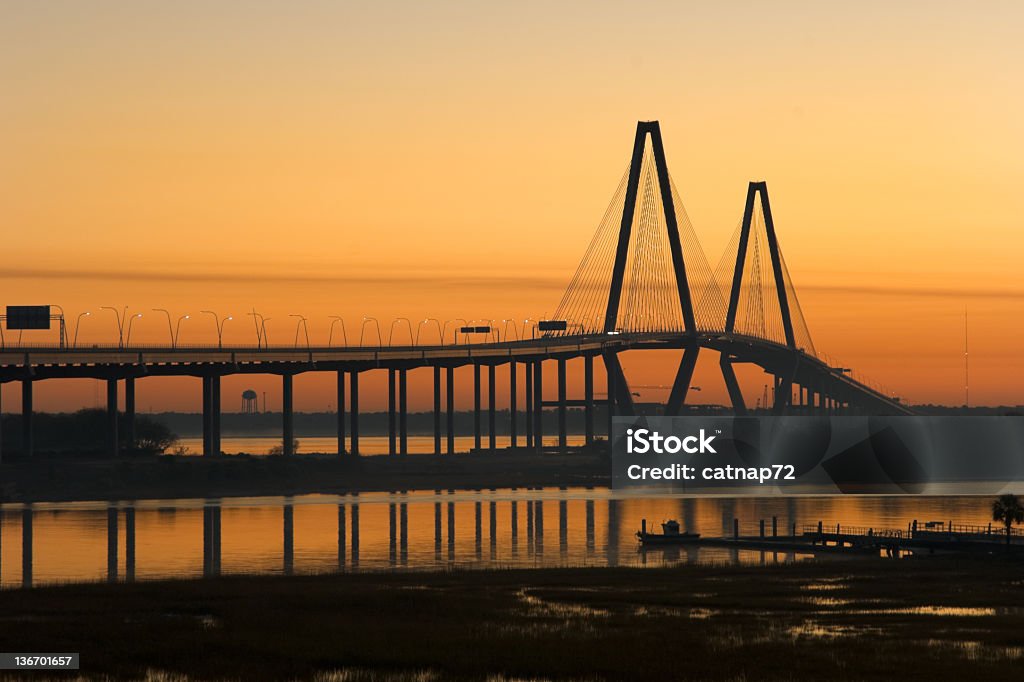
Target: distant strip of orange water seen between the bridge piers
[[368, 445]]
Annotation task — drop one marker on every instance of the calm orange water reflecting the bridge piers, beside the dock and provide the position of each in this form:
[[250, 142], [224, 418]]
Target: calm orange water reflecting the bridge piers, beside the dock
[[423, 531]]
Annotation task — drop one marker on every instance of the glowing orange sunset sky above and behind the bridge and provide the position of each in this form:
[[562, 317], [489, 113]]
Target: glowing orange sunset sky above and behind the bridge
[[453, 160]]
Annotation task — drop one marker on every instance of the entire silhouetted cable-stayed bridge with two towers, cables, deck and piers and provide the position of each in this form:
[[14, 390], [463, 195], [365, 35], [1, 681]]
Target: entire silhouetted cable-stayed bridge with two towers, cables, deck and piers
[[645, 283]]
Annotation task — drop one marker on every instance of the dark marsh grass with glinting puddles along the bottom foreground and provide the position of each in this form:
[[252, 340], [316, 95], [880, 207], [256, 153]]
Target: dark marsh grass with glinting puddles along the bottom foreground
[[914, 620]]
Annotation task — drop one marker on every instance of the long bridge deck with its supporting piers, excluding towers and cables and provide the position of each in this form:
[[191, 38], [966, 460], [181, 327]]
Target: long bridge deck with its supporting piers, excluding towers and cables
[[820, 389]]
